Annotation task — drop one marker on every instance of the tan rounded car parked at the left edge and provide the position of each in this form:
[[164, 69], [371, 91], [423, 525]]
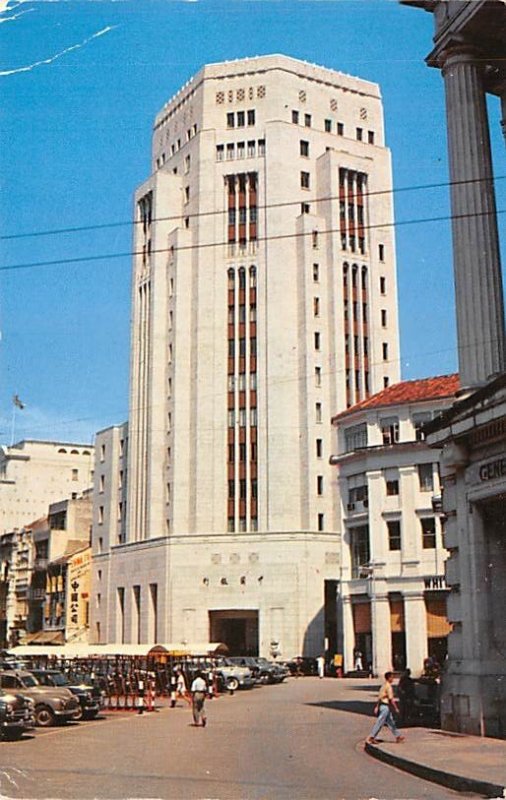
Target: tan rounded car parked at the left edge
[[51, 705]]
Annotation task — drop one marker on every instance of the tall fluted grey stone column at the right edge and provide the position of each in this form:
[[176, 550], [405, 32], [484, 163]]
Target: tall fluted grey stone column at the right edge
[[477, 268]]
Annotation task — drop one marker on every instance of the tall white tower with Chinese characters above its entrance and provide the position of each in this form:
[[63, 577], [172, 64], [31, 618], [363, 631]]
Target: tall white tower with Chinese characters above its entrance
[[264, 299]]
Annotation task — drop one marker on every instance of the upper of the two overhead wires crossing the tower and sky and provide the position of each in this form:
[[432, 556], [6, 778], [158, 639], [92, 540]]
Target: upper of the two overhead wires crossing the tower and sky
[[108, 225]]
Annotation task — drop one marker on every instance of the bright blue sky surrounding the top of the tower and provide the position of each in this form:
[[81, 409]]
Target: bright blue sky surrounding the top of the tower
[[75, 142]]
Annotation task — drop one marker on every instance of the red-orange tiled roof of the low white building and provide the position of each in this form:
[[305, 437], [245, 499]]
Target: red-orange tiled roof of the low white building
[[408, 392]]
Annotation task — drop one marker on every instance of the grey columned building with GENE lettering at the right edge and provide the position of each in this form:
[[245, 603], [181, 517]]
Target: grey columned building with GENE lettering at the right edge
[[470, 50]]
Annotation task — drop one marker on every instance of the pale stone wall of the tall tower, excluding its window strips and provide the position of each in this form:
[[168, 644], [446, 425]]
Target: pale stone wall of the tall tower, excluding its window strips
[[178, 474]]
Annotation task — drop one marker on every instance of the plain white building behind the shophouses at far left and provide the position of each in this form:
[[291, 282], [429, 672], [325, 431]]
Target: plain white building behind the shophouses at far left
[[34, 474]]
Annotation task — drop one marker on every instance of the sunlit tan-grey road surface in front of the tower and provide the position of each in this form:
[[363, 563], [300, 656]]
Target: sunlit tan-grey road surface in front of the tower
[[300, 740]]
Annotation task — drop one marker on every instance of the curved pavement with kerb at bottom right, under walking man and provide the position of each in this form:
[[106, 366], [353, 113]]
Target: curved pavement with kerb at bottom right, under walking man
[[465, 763]]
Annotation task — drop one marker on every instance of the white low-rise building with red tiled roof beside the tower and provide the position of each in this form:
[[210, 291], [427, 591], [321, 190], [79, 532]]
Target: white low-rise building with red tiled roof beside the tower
[[392, 591]]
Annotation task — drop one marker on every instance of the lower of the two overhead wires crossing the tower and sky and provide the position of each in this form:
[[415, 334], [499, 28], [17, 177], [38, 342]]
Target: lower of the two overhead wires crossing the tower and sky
[[277, 237]]
